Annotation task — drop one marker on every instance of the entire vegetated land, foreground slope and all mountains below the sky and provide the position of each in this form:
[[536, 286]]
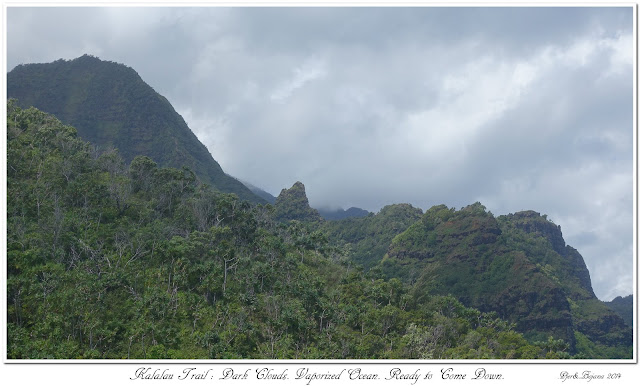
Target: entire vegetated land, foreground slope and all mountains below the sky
[[137, 245]]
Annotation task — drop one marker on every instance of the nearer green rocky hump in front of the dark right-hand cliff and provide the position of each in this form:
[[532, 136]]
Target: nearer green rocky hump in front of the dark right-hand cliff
[[463, 253]]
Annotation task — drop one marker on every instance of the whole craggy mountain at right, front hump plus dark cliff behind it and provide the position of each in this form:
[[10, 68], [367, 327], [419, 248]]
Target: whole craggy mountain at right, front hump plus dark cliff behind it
[[516, 265]]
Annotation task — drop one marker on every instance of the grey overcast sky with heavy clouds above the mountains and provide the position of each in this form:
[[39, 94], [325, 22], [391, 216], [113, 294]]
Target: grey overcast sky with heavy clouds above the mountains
[[518, 108]]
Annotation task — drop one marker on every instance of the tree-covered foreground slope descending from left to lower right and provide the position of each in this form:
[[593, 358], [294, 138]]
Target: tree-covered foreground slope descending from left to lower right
[[109, 260]]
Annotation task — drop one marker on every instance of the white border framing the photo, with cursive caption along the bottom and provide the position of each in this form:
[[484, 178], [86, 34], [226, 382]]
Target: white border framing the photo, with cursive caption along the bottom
[[41, 370]]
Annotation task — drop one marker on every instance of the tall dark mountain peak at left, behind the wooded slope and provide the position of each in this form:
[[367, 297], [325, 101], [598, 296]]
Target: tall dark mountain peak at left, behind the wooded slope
[[111, 106]]
